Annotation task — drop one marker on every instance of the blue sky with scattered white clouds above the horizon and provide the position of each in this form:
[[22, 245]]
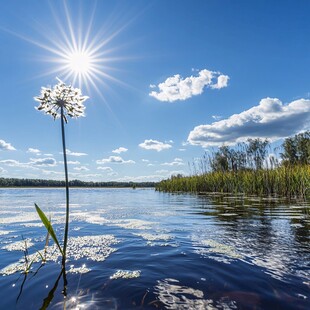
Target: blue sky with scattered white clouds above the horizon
[[170, 80]]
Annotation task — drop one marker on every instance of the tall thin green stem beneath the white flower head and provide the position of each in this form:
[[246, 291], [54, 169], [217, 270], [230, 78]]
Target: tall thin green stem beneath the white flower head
[[67, 187]]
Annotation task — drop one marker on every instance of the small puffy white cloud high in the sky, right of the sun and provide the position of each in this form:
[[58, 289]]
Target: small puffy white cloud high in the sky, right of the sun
[[177, 88]]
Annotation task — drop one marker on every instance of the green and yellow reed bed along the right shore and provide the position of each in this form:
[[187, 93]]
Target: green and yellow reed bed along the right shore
[[284, 181]]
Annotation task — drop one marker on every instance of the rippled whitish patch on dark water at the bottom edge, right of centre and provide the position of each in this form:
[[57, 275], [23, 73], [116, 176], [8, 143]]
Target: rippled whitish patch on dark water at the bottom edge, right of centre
[[173, 295]]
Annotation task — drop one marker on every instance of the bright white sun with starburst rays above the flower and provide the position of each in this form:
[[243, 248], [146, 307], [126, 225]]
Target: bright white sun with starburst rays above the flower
[[77, 53]]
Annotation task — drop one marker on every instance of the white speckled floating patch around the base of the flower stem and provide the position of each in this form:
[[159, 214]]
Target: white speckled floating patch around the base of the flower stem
[[94, 248]]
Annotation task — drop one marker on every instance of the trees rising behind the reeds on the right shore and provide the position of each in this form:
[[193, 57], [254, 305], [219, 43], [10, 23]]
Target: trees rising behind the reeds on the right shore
[[256, 154]]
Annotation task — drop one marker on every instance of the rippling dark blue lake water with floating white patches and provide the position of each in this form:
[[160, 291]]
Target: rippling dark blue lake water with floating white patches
[[142, 249]]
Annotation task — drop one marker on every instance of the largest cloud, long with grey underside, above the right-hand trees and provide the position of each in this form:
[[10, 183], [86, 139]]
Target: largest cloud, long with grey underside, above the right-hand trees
[[270, 119]]
